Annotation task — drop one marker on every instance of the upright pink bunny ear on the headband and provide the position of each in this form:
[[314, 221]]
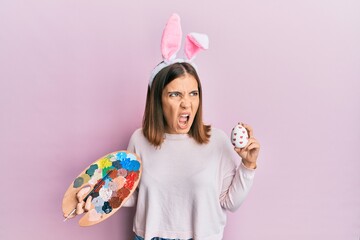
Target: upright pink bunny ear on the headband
[[171, 38]]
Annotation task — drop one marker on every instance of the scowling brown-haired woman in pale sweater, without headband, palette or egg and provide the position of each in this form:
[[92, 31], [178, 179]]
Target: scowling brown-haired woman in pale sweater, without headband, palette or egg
[[189, 175]]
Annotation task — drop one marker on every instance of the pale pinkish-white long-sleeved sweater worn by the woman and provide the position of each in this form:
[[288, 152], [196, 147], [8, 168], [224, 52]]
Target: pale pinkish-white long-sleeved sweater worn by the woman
[[186, 187]]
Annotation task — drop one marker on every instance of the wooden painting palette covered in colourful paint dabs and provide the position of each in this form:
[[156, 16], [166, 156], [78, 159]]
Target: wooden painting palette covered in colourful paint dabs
[[112, 179]]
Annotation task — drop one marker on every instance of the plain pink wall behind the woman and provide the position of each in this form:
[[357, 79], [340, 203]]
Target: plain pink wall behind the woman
[[73, 77]]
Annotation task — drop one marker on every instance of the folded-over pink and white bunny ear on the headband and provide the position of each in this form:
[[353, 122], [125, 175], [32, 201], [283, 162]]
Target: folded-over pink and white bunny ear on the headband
[[194, 43]]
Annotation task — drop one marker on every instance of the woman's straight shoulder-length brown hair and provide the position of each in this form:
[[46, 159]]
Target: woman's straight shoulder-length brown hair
[[154, 122]]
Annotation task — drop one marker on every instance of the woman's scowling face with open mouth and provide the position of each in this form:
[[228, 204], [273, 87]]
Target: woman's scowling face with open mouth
[[180, 102]]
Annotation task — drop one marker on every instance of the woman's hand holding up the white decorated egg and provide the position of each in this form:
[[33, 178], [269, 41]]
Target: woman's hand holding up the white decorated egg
[[250, 152]]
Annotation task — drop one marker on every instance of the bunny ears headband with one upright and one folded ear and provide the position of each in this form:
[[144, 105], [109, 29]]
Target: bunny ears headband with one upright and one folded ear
[[171, 43]]
